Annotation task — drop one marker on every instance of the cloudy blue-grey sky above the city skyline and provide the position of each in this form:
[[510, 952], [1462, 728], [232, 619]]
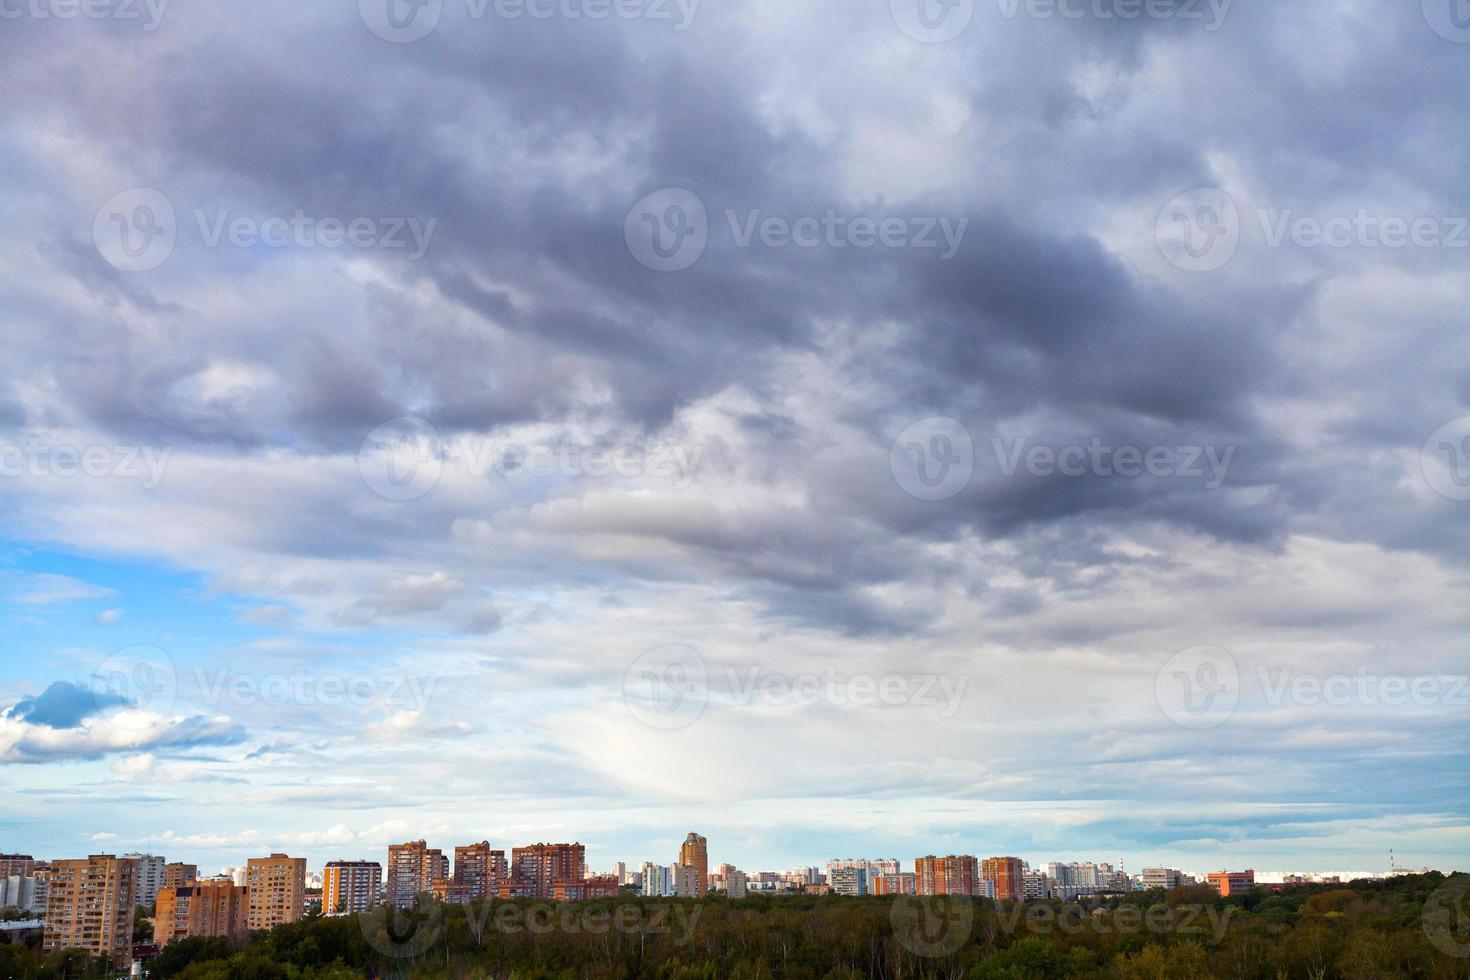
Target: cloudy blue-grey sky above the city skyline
[[861, 428]]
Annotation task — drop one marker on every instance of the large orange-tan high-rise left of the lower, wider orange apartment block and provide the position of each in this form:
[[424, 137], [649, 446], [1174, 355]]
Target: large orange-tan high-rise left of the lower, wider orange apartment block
[[90, 907]]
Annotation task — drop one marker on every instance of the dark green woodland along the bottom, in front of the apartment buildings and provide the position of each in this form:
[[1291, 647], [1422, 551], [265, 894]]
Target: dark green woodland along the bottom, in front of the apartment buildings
[[1413, 926]]
